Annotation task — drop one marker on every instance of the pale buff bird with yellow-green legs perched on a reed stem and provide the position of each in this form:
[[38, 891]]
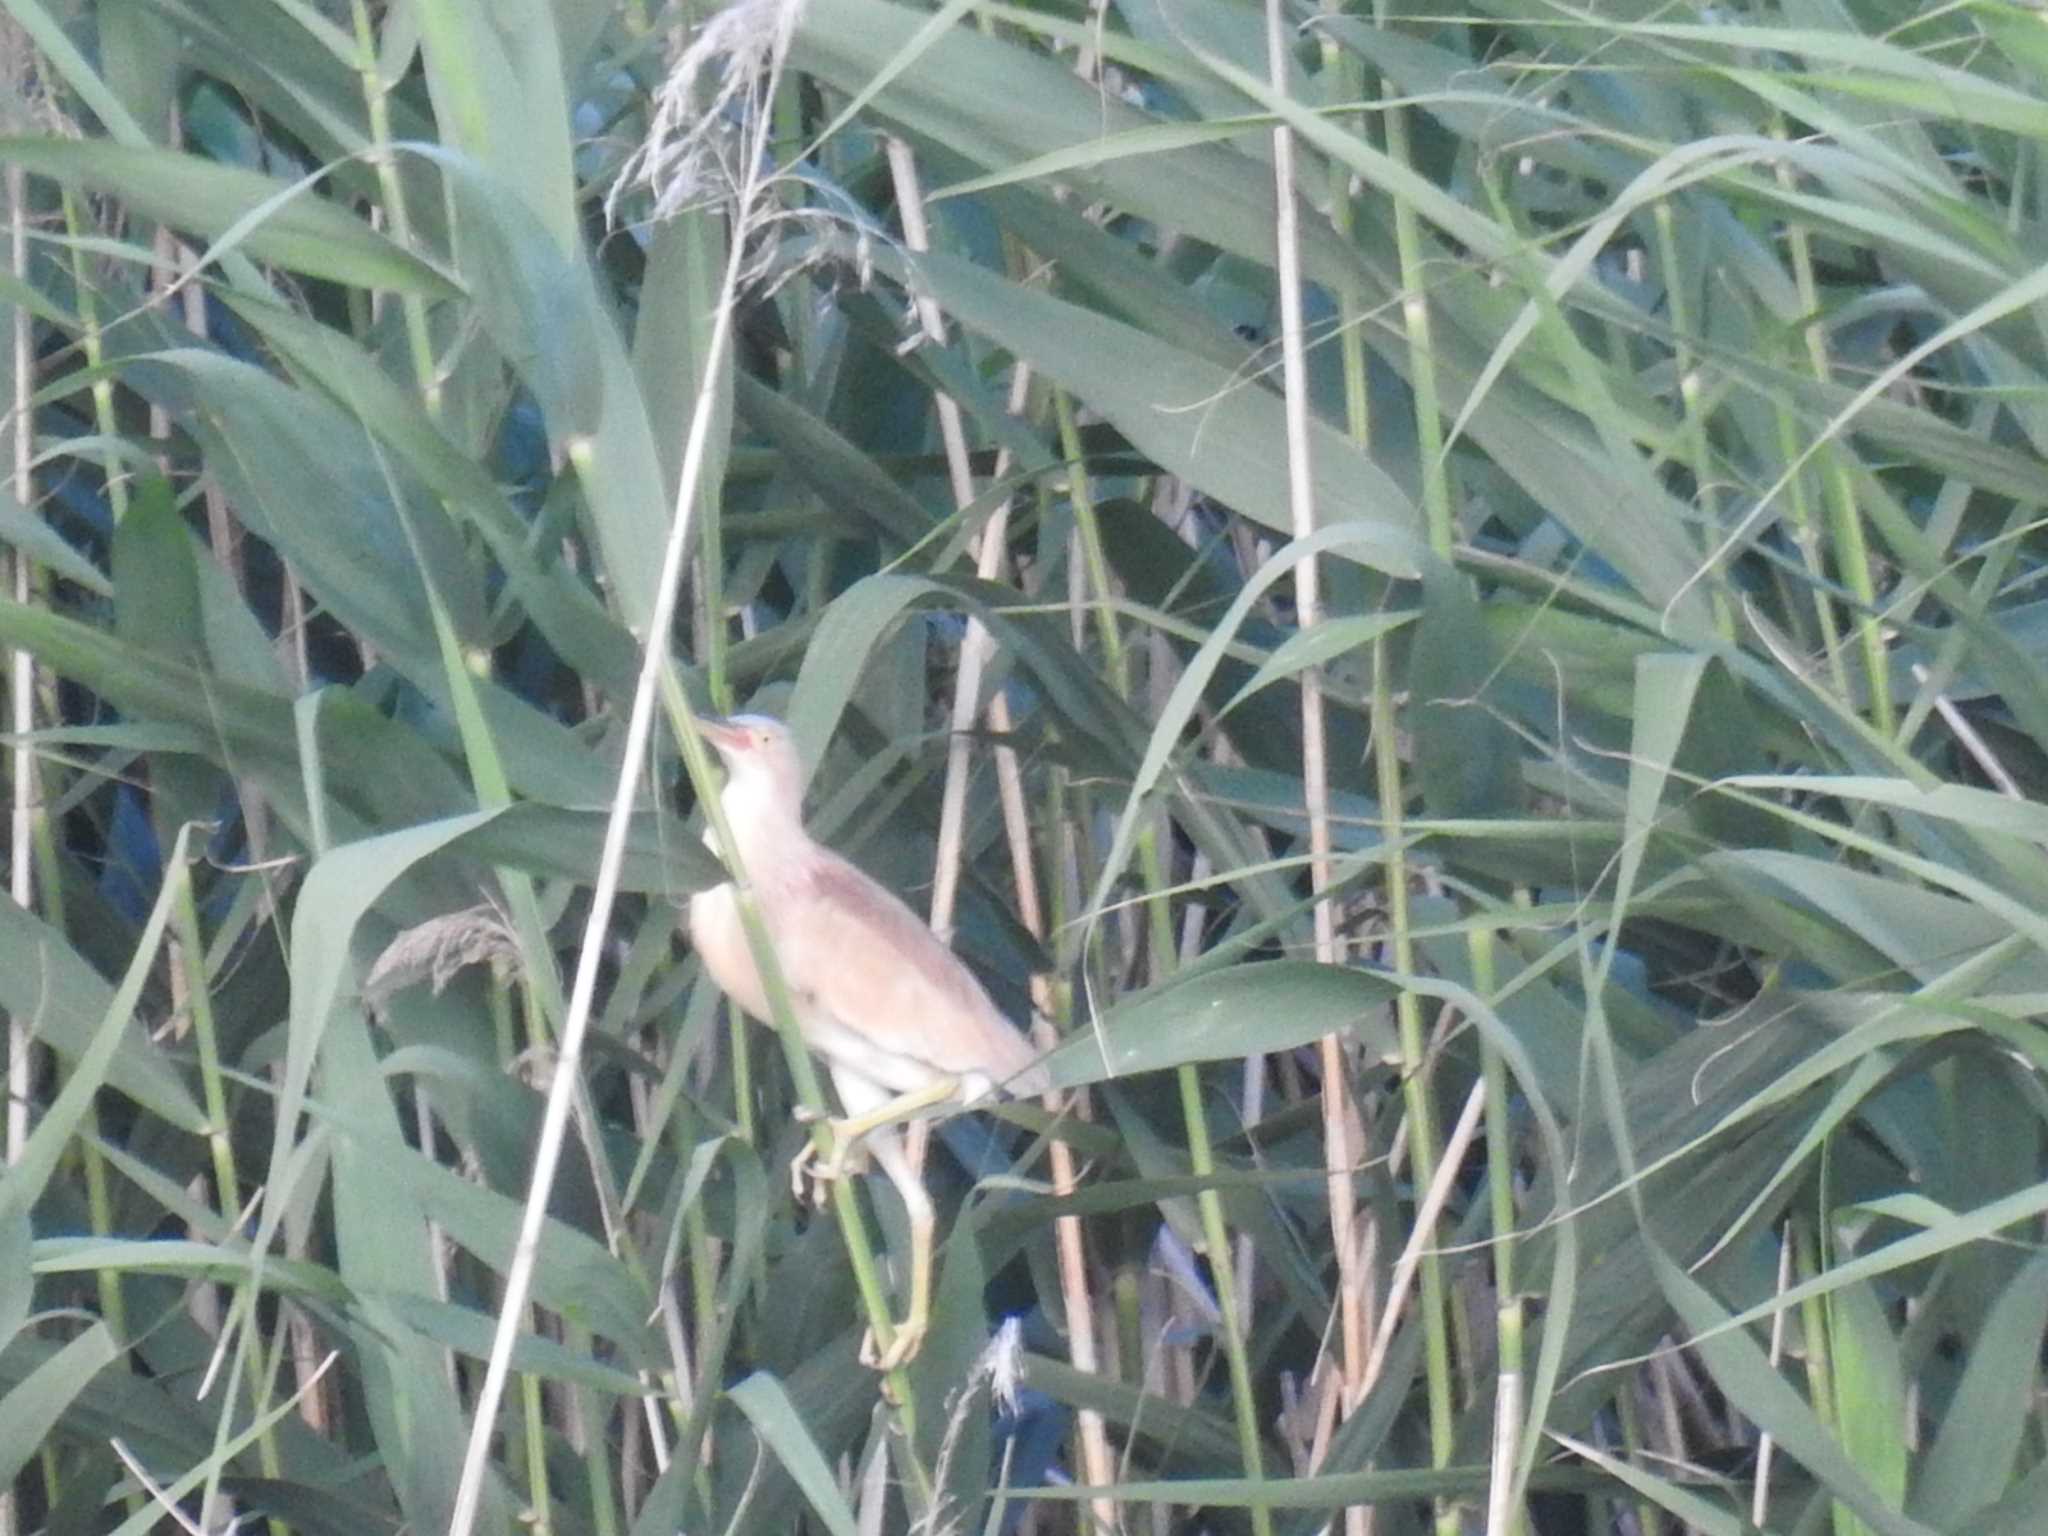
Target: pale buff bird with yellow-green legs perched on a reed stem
[[900, 1021]]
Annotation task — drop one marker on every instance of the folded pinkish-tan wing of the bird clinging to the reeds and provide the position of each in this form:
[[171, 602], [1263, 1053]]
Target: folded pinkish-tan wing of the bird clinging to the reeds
[[880, 972]]
